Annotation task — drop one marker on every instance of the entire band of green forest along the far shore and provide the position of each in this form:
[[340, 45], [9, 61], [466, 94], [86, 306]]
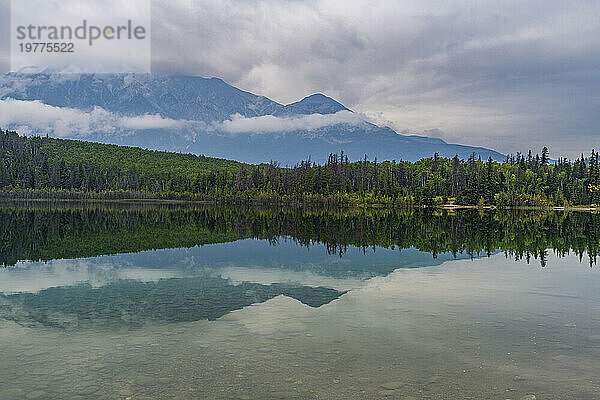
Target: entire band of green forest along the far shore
[[42, 167]]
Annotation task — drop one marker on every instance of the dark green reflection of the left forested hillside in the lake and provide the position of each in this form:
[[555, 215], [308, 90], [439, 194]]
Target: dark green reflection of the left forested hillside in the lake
[[51, 233]]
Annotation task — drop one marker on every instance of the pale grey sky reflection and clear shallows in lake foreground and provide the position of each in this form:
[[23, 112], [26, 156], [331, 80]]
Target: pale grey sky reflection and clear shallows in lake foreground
[[485, 328]]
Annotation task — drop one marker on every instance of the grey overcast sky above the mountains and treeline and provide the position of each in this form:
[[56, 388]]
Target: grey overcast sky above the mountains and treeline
[[509, 75]]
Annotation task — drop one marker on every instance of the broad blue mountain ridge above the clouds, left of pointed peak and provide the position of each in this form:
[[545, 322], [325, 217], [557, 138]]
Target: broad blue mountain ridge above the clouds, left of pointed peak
[[171, 96]]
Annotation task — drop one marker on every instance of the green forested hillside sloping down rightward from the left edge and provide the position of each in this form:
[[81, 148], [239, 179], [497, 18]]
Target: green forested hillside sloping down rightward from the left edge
[[47, 163]]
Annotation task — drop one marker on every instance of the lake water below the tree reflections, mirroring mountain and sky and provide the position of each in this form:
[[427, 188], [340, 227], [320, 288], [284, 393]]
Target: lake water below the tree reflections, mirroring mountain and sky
[[250, 320]]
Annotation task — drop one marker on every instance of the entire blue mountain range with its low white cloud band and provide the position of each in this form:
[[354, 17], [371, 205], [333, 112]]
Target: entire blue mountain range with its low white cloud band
[[207, 116]]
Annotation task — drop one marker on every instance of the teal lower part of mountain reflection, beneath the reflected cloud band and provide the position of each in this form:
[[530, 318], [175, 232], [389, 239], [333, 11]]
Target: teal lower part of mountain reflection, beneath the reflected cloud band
[[134, 303]]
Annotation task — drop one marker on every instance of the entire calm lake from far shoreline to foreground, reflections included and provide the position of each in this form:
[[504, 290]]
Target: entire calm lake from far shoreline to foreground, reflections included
[[129, 301]]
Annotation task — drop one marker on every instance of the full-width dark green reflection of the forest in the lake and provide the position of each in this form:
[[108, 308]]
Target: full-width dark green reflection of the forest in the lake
[[44, 232]]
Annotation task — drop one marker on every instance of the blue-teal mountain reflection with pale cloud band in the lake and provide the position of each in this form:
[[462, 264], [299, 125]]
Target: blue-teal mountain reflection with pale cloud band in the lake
[[177, 285]]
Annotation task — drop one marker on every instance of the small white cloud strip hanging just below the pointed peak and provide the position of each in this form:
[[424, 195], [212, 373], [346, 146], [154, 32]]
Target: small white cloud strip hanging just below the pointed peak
[[271, 124]]
